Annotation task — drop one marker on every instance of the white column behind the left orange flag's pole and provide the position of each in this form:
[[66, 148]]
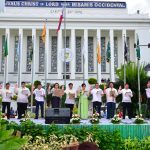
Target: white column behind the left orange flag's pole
[[46, 53]]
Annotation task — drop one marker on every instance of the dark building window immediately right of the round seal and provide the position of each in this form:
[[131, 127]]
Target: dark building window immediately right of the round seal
[[78, 55]]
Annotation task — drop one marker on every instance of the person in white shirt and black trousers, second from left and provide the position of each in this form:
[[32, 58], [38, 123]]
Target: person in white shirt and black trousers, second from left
[[22, 99]]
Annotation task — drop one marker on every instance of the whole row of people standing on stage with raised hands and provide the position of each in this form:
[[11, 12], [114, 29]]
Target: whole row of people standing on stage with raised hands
[[71, 94]]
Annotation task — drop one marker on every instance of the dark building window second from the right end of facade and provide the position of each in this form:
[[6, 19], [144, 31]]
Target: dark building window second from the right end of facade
[[115, 53]]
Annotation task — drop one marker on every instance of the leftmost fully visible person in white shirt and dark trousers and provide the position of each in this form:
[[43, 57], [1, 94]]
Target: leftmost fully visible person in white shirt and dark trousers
[[6, 99]]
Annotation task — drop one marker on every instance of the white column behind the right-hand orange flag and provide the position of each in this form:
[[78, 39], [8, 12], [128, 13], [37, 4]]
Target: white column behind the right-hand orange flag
[[99, 65]]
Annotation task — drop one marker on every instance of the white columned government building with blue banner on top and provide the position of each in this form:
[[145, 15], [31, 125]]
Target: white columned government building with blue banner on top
[[87, 22]]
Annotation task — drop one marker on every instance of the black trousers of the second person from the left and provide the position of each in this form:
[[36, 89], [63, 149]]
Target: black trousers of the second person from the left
[[21, 108]]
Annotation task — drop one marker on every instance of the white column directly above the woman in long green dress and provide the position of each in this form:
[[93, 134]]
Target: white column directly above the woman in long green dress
[[85, 54]]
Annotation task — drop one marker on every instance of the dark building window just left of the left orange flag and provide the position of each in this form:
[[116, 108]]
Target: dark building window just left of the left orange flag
[[41, 55]]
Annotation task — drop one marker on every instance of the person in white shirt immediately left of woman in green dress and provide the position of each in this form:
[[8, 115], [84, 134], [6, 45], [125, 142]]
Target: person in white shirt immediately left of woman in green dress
[[70, 98]]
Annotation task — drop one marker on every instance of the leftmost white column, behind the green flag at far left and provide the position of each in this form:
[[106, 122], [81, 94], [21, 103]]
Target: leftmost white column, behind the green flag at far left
[[7, 34]]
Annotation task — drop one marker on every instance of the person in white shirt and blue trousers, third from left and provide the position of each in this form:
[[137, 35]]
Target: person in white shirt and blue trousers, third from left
[[39, 97]]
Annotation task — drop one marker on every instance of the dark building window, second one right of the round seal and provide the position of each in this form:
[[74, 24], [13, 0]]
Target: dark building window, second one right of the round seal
[[90, 55]]
